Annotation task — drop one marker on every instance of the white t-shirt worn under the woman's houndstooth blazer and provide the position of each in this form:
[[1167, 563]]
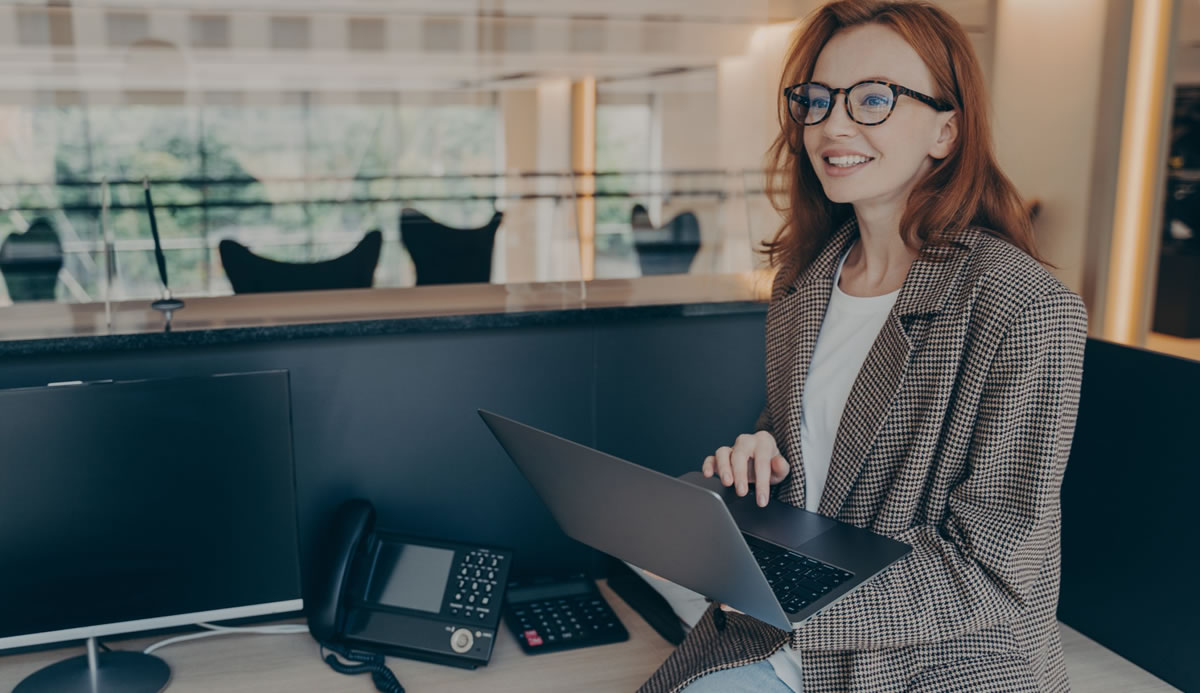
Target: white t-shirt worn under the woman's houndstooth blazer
[[849, 332]]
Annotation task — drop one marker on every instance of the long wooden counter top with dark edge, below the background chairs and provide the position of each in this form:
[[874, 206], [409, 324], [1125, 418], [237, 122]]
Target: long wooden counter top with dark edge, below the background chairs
[[32, 329]]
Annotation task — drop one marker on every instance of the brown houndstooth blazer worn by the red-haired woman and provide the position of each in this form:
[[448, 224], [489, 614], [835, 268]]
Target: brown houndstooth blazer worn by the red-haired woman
[[955, 441]]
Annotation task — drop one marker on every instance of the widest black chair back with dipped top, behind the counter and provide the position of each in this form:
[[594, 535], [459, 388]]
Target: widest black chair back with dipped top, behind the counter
[[251, 274]]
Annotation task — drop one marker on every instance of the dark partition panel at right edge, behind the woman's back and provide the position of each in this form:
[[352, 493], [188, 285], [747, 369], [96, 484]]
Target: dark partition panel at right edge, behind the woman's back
[[1131, 552]]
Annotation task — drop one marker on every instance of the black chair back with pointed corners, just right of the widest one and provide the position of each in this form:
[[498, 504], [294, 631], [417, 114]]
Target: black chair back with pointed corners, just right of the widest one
[[446, 255]]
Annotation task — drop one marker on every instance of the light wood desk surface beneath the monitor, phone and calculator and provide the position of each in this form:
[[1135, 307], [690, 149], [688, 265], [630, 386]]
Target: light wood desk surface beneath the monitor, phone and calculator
[[290, 664]]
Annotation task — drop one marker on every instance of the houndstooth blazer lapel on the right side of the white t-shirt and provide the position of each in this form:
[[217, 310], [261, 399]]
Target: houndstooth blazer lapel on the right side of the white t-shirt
[[926, 292]]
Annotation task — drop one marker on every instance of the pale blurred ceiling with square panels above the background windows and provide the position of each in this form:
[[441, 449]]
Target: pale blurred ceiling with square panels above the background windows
[[397, 45]]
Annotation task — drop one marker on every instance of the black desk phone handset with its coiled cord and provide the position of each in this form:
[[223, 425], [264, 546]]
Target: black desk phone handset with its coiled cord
[[326, 607]]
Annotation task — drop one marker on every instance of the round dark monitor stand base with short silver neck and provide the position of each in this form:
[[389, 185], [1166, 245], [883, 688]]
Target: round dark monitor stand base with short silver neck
[[116, 672]]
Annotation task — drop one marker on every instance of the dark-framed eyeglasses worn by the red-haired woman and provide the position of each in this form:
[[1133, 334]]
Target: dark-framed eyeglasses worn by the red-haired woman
[[869, 103]]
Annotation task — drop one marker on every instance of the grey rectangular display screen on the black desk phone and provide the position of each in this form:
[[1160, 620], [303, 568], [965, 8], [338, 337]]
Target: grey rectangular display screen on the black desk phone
[[410, 577]]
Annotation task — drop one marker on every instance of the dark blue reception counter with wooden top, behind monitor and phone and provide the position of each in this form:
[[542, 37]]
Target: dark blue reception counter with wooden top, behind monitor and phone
[[386, 384]]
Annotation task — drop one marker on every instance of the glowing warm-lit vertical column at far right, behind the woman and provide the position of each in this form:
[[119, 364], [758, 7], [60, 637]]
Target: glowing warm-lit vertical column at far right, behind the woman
[[1136, 236]]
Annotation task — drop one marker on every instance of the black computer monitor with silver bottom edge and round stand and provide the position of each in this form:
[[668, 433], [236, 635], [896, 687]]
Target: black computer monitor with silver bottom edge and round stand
[[143, 505]]
